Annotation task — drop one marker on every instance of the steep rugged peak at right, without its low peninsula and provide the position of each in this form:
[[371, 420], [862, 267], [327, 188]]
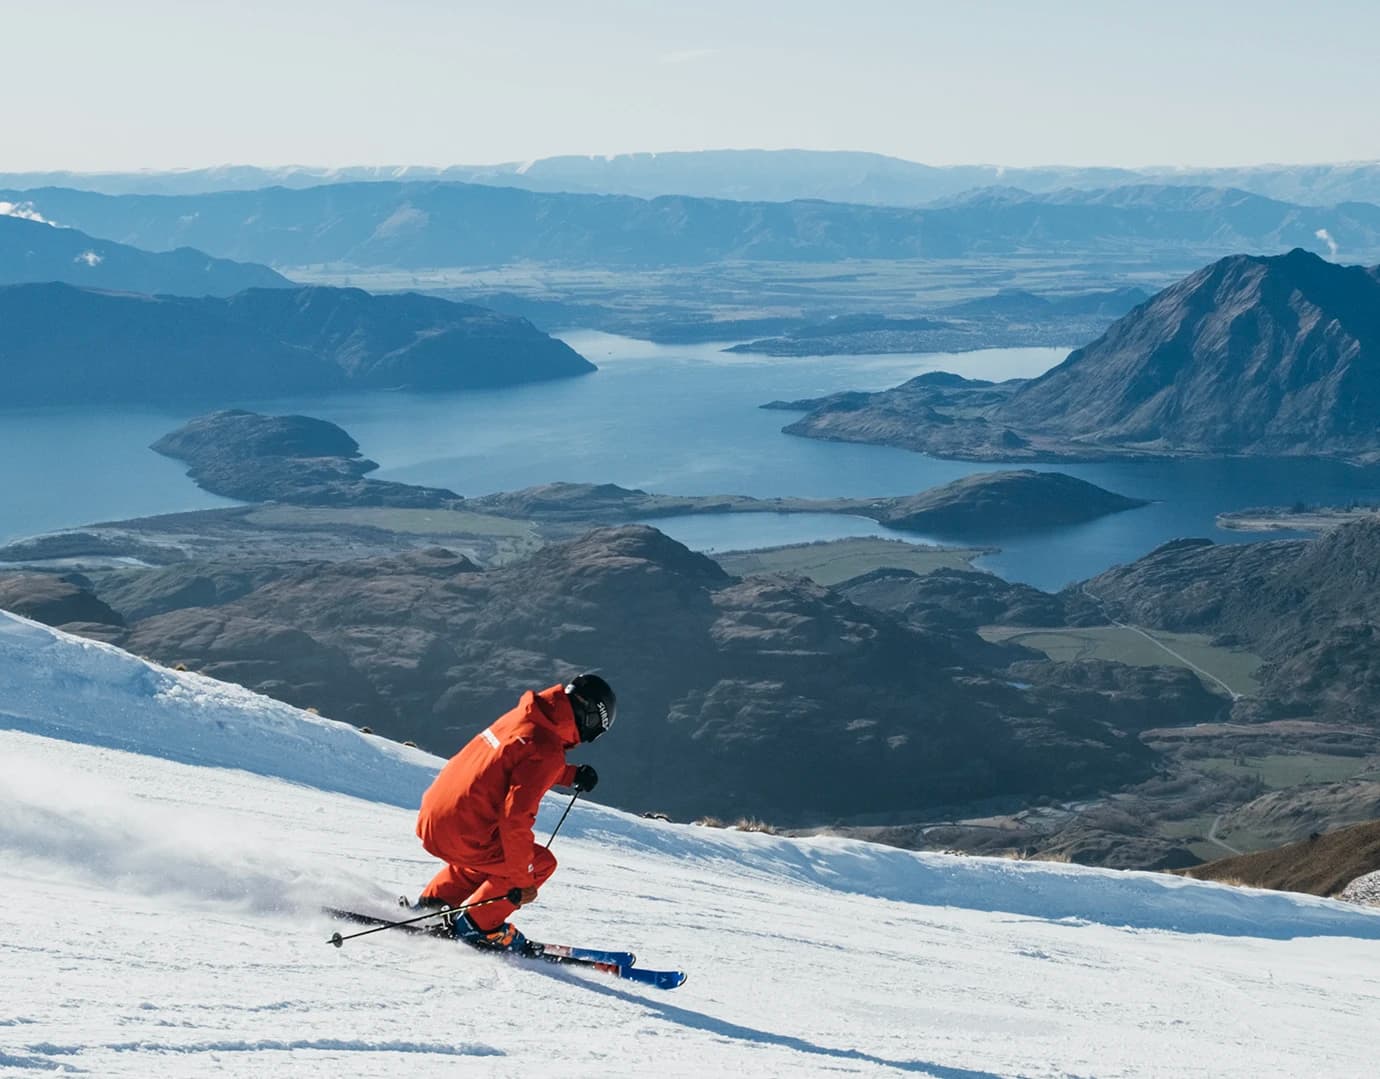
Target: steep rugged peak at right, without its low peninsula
[[1248, 357]]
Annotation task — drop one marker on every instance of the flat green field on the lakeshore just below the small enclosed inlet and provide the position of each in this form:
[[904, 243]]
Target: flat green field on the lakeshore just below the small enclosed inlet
[[827, 564]]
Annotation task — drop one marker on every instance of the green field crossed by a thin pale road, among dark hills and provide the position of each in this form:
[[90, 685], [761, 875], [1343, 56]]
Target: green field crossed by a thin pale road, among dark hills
[[1236, 669]]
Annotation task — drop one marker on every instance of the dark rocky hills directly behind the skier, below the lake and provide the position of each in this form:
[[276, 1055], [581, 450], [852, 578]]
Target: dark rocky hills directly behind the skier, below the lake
[[760, 696]]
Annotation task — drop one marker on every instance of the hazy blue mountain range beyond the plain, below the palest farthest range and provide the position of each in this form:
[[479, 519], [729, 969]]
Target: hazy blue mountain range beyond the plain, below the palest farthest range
[[430, 226]]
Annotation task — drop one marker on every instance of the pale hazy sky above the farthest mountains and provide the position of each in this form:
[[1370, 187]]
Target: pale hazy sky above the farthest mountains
[[124, 85]]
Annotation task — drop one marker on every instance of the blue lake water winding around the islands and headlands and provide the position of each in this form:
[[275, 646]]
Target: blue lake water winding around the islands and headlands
[[678, 420]]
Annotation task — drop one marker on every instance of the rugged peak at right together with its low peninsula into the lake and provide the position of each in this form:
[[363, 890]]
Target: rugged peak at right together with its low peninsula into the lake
[[1251, 355]]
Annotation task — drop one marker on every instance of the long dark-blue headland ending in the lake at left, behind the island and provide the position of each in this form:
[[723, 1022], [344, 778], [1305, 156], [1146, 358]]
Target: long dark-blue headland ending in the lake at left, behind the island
[[66, 346]]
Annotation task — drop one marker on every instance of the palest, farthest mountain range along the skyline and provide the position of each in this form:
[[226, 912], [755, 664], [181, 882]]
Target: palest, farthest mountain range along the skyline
[[751, 176]]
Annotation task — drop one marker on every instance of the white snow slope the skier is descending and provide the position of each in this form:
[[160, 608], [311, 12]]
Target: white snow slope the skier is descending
[[166, 841]]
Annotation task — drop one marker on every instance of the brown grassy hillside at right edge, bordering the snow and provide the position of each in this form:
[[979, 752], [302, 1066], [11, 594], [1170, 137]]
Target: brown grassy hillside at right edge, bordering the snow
[[1320, 867]]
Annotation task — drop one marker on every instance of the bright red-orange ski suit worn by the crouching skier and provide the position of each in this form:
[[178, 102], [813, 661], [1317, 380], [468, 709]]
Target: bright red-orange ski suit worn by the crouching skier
[[480, 813]]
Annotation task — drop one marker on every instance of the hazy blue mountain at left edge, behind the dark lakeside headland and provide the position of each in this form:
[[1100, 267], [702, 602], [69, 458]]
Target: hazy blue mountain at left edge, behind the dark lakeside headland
[[38, 252]]
